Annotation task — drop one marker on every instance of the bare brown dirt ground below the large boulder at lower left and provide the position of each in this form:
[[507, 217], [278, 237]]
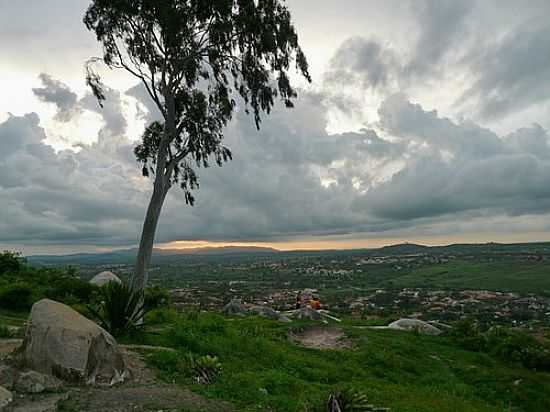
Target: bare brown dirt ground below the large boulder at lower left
[[141, 392]]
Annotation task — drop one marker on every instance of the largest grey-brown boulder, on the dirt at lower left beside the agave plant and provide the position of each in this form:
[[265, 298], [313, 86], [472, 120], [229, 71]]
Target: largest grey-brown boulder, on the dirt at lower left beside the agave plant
[[61, 342]]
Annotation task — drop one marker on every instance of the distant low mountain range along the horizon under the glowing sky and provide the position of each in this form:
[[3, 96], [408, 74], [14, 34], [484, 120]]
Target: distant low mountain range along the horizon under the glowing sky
[[127, 256]]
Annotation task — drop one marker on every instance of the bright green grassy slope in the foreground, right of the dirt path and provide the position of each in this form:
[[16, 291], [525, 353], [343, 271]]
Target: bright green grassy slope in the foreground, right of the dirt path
[[262, 371]]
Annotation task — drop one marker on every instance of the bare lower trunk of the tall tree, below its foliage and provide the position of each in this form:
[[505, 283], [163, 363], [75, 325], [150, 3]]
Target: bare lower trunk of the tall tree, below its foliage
[[145, 251]]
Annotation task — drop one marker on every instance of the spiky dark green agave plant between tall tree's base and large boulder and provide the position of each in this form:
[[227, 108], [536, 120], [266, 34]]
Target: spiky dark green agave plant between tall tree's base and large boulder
[[121, 309]]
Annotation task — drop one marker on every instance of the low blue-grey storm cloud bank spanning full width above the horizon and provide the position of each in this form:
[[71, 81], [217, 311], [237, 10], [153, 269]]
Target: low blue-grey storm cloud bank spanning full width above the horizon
[[291, 178]]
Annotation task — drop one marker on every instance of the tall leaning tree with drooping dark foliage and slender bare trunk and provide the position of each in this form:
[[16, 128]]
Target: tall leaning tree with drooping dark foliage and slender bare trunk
[[194, 57]]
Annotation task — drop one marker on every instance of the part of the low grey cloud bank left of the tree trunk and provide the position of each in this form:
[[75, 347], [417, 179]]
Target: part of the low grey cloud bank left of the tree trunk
[[60, 197]]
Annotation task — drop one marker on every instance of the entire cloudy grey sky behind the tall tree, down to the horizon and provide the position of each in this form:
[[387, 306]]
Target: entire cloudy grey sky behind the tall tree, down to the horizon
[[427, 121]]
